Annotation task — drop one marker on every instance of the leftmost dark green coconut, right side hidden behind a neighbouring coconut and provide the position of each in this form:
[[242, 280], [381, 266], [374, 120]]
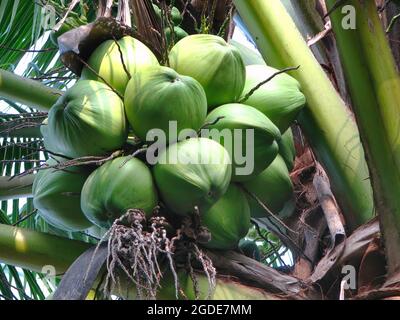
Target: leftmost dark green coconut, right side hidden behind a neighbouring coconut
[[57, 196]]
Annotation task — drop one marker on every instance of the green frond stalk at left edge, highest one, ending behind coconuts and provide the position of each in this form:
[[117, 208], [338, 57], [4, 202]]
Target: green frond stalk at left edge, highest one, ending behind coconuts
[[26, 91]]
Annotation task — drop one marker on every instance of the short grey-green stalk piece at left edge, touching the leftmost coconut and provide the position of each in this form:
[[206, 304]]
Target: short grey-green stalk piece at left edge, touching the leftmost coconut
[[19, 187]]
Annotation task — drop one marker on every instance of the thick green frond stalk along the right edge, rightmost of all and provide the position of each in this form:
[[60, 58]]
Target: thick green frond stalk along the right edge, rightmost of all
[[374, 86]]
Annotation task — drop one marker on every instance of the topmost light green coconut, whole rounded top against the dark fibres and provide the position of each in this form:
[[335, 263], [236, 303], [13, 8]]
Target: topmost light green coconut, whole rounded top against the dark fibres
[[217, 65]]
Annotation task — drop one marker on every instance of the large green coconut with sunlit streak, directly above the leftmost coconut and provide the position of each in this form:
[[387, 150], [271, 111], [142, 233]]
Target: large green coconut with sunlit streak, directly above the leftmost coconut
[[88, 120]]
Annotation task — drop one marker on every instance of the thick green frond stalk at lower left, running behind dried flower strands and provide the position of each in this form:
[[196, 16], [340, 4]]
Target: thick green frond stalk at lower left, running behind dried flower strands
[[35, 250]]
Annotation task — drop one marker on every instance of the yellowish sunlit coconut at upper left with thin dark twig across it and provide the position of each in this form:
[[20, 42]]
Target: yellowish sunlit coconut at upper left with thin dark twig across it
[[106, 62]]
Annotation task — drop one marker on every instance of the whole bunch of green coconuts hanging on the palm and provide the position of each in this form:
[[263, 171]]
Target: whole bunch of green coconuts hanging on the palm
[[124, 92]]
